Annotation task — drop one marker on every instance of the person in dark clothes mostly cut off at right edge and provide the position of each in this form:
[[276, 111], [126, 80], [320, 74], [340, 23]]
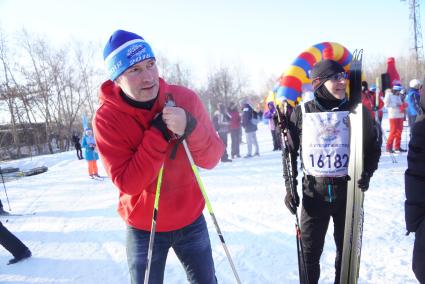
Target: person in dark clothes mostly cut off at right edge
[[415, 192]]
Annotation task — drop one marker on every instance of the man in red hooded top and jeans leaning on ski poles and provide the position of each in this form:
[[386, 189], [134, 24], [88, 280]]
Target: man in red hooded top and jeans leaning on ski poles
[[136, 134]]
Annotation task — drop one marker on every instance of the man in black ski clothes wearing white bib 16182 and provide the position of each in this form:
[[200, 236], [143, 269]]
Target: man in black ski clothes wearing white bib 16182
[[324, 185]]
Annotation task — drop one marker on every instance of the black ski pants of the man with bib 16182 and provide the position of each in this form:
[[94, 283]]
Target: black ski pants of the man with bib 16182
[[315, 217]]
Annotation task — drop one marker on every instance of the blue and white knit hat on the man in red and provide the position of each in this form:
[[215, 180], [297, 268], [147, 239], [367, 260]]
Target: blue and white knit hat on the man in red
[[123, 50]]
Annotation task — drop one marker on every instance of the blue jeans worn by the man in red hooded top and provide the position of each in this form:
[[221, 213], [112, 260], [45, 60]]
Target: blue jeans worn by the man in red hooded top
[[191, 245]]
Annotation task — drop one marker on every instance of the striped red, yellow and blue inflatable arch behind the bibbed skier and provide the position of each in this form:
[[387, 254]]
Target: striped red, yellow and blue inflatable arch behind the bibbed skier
[[295, 79]]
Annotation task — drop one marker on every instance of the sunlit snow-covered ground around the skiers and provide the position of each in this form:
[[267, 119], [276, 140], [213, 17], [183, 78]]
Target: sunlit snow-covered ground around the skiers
[[76, 235]]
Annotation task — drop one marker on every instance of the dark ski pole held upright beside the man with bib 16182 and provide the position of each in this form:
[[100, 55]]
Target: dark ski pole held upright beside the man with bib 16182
[[302, 269]]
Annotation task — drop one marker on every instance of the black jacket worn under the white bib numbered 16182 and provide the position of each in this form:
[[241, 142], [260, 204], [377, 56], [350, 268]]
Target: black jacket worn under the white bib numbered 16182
[[323, 188]]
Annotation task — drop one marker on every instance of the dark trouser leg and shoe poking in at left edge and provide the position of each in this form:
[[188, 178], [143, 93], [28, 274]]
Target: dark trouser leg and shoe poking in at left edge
[[12, 244]]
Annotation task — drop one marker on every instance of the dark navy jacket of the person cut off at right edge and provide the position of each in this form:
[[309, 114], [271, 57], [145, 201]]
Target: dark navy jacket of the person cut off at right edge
[[415, 177]]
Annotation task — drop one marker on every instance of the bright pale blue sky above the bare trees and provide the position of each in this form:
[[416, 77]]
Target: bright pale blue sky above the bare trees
[[261, 37]]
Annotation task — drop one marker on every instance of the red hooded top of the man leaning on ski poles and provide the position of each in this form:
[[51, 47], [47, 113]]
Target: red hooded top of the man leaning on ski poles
[[133, 152]]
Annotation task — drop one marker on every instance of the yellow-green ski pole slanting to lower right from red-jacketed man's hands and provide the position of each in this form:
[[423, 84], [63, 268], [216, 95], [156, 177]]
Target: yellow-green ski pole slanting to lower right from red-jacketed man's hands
[[210, 210]]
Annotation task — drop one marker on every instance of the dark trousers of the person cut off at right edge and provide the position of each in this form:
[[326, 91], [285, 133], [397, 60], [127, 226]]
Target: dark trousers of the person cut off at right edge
[[418, 263]]
